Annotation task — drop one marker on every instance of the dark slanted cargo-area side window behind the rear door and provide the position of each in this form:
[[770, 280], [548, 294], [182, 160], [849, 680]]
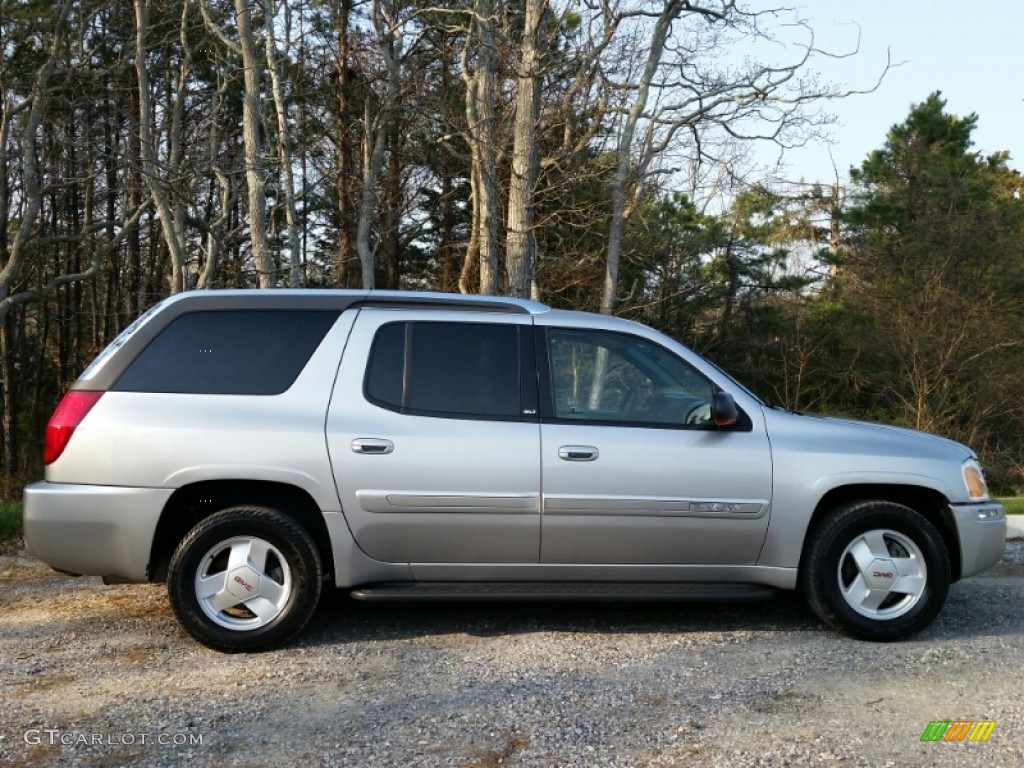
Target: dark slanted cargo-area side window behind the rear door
[[228, 353]]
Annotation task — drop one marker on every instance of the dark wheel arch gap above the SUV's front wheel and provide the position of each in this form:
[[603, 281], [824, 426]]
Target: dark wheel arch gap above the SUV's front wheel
[[929, 503]]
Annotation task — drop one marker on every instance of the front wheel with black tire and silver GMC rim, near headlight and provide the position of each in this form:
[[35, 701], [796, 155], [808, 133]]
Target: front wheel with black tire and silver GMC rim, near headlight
[[877, 571]]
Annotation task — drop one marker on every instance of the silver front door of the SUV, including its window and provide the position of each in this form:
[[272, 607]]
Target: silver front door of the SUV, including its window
[[634, 472]]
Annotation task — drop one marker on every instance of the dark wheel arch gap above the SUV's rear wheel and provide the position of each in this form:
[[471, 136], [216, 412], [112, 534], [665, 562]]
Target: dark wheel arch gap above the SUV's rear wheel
[[194, 503]]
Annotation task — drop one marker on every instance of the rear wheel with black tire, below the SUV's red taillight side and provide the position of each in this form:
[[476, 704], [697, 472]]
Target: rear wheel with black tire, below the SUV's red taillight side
[[245, 579]]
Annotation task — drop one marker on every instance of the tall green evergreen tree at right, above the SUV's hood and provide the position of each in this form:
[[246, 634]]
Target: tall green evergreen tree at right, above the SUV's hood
[[932, 275]]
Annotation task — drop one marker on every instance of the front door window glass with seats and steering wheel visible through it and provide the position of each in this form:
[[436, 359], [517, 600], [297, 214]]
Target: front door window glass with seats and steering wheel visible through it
[[603, 376]]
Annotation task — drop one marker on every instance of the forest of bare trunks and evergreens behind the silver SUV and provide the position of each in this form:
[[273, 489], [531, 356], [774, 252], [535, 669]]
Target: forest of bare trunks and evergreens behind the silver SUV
[[588, 154]]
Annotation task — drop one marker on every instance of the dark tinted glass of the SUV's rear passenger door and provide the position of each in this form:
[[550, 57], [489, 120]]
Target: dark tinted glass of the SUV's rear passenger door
[[446, 369]]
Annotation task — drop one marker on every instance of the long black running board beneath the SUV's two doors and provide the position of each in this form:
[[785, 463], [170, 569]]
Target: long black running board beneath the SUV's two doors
[[707, 591]]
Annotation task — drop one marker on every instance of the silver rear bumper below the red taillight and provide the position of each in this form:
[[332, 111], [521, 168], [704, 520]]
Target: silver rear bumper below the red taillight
[[94, 530]]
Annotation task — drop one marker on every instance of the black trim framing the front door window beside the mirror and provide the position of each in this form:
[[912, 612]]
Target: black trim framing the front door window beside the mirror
[[547, 405]]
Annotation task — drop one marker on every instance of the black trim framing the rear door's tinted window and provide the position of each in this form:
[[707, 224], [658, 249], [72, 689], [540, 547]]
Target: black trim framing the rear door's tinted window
[[529, 396]]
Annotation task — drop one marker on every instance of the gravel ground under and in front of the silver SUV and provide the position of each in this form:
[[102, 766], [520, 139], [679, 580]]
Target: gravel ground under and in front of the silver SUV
[[102, 676]]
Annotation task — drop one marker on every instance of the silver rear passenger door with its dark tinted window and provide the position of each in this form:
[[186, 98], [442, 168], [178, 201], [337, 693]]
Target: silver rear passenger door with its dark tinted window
[[435, 440]]
